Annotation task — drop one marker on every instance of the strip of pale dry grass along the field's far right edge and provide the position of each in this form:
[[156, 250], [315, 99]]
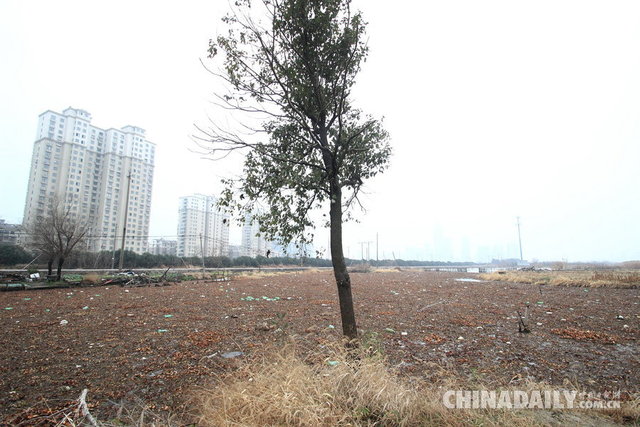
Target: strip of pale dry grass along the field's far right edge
[[591, 279]]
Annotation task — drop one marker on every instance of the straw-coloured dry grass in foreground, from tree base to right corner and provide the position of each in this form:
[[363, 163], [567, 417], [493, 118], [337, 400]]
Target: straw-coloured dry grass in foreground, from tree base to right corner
[[356, 388]]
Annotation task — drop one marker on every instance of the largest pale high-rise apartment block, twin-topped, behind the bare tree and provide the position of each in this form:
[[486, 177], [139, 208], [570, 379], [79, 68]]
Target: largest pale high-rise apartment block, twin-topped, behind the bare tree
[[90, 169]]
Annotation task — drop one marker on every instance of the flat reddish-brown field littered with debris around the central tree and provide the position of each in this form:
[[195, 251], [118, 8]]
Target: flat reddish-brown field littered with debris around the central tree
[[160, 344]]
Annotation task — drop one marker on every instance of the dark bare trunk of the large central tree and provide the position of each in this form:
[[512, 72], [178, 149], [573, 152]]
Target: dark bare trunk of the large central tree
[[340, 267]]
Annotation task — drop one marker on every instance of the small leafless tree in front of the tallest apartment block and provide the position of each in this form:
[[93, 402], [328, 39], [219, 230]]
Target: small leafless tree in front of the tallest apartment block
[[56, 234]]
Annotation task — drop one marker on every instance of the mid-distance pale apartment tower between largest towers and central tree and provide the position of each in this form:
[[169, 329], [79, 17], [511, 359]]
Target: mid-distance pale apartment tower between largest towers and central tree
[[202, 229]]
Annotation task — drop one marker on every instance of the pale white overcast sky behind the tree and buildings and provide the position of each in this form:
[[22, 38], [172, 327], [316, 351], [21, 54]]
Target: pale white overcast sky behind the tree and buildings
[[496, 109]]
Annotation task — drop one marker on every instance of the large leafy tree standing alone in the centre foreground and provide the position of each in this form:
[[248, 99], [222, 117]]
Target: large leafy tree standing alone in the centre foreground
[[312, 148]]
